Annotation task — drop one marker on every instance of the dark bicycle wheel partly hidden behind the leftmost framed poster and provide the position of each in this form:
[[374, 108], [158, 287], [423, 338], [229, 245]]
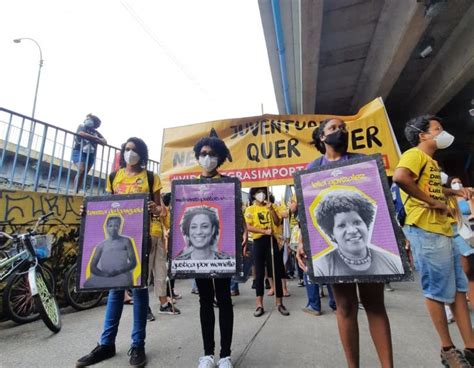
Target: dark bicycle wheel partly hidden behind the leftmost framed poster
[[79, 300]]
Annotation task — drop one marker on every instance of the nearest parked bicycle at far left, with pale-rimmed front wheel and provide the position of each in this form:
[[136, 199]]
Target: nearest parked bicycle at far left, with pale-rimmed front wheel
[[21, 264]]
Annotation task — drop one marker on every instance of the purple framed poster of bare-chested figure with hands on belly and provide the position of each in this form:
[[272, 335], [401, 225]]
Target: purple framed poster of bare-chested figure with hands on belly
[[113, 243]]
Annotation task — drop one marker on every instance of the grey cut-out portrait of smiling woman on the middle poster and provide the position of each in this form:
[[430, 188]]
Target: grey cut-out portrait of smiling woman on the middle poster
[[200, 229]]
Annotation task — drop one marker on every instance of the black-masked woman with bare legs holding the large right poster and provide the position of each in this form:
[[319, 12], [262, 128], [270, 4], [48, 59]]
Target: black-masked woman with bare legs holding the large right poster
[[331, 139]]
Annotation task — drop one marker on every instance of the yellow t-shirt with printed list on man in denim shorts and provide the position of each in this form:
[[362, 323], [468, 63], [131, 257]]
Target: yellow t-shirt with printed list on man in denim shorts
[[430, 182]]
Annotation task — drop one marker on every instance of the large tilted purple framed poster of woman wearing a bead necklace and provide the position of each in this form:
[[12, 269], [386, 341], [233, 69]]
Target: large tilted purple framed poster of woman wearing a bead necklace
[[348, 223]]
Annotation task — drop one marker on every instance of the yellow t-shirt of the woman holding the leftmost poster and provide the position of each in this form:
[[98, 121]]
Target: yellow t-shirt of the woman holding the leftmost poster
[[126, 184]]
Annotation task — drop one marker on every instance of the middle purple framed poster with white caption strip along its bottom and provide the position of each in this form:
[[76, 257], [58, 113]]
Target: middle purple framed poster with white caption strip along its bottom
[[206, 228]]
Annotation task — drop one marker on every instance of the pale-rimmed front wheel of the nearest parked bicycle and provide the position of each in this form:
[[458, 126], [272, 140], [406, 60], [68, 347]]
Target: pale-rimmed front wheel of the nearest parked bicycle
[[46, 303]]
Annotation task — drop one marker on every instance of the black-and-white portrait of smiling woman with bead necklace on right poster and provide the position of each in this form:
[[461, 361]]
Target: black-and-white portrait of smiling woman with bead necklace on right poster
[[346, 217]]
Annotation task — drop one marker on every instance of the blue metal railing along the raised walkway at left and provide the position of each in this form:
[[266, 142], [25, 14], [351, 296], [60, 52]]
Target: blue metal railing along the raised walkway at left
[[37, 156]]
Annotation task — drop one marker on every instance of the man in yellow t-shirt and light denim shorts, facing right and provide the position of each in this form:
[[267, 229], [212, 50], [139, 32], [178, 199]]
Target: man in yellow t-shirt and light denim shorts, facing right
[[428, 227]]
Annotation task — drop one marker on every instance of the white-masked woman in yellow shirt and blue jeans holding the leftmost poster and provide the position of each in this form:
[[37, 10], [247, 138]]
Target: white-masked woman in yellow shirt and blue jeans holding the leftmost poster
[[132, 177]]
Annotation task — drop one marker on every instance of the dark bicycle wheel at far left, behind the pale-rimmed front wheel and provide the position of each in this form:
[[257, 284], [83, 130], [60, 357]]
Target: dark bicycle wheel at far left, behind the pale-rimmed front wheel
[[18, 303]]
